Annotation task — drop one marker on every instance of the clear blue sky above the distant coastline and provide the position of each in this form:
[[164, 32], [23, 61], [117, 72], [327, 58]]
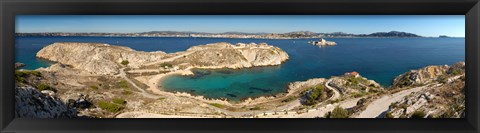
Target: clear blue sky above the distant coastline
[[424, 25]]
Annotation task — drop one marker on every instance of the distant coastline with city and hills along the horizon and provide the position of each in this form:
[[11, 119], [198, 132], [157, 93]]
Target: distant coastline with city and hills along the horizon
[[289, 35]]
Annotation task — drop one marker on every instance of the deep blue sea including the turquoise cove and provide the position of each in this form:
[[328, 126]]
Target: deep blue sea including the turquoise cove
[[379, 59]]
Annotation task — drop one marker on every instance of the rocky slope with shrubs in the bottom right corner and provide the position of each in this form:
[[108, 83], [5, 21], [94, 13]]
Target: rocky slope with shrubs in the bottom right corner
[[443, 96]]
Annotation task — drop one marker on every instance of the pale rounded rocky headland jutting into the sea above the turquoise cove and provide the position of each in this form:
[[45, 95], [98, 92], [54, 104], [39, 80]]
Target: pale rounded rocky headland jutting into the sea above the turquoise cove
[[226, 55]]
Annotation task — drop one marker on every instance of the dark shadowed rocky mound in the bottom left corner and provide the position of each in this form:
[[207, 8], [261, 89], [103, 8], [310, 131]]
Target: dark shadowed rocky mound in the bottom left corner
[[30, 103]]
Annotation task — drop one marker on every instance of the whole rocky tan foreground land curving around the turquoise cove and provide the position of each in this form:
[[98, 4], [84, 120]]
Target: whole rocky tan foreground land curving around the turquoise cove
[[107, 81]]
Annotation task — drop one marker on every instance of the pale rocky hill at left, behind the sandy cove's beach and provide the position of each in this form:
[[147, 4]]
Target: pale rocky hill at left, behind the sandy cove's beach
[[96, 58]]
